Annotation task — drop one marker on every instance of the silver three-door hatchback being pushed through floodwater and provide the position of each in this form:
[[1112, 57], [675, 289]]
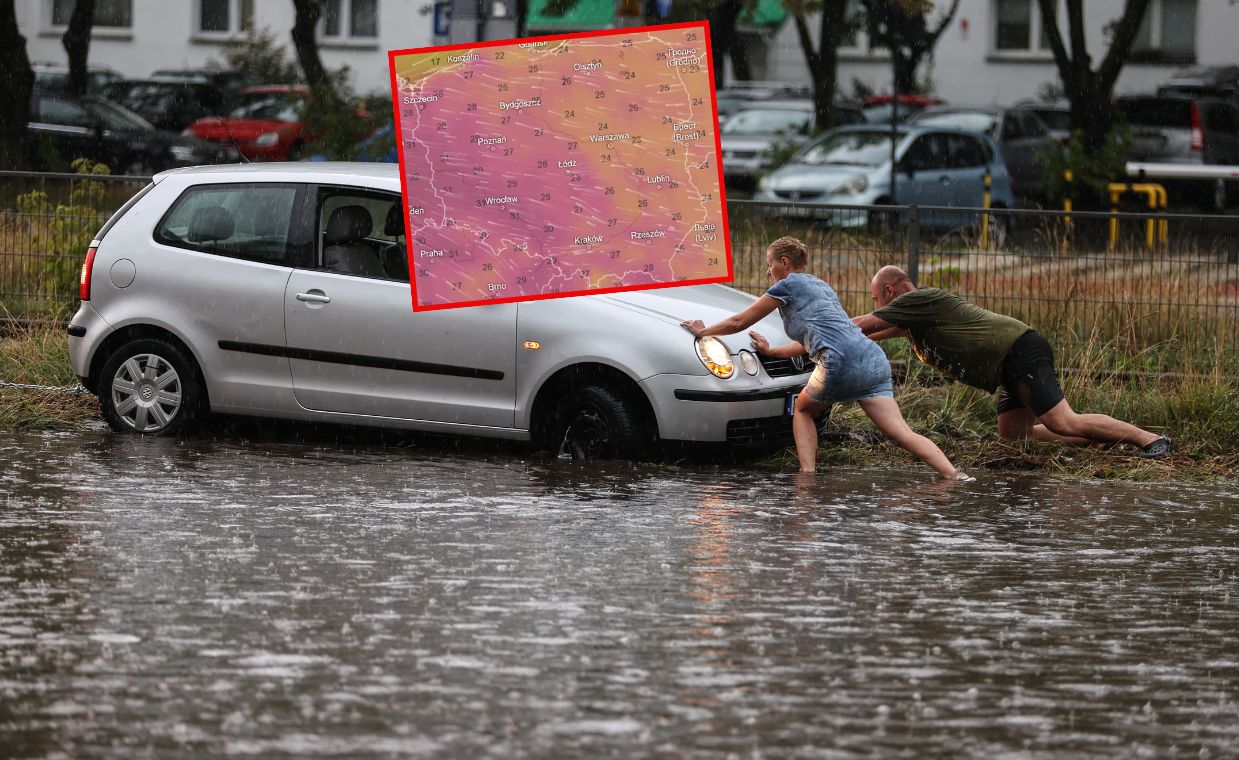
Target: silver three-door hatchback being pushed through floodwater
[[282, 291]]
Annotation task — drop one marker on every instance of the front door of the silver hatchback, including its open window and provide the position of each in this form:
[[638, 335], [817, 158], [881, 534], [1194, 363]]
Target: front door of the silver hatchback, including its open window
[[357, 347]]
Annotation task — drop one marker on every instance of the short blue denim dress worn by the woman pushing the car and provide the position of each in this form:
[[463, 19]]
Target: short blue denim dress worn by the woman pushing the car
[[851, 366]]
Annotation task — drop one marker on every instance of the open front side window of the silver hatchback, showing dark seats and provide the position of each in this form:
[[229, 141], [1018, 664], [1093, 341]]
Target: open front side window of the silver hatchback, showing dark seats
[[362, 234]]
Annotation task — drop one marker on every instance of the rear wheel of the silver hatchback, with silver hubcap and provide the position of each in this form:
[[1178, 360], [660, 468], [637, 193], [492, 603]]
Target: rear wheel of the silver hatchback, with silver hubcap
[[151, 387]]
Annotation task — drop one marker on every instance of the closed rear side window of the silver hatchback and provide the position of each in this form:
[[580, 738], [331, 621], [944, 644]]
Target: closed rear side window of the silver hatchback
[[252, 223]]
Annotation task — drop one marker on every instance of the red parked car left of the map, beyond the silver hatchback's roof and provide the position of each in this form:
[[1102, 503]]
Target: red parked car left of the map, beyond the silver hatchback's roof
[[265, 123]]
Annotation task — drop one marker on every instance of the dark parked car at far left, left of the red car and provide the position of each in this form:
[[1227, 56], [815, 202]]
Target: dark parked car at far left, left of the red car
[[69, 128]]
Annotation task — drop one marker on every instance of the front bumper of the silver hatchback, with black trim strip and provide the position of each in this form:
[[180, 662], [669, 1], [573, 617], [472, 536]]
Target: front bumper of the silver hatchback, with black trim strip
[[707, 410]]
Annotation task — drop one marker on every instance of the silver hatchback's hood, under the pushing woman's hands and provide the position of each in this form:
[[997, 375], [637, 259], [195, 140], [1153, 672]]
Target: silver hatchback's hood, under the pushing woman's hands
[[707, 303]]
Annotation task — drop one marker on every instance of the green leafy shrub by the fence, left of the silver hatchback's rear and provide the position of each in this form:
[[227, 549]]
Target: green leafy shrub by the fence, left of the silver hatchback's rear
[[65, 230]]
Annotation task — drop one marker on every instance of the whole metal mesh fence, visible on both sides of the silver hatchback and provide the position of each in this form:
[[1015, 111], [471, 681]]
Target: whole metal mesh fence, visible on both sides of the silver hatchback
[[1150, 292]]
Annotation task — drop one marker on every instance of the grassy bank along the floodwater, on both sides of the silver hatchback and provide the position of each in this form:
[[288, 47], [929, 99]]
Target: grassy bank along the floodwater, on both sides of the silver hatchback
[[1200, 412]]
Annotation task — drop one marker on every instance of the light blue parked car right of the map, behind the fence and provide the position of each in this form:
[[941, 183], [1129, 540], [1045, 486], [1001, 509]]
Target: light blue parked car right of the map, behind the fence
[[852, 167]]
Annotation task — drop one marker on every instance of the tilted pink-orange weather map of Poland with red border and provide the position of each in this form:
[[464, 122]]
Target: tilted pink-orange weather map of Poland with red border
[[561, 167]]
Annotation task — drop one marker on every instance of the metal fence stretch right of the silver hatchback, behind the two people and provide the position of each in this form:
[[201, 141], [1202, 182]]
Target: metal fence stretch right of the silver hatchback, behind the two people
[[1148, 292]]
